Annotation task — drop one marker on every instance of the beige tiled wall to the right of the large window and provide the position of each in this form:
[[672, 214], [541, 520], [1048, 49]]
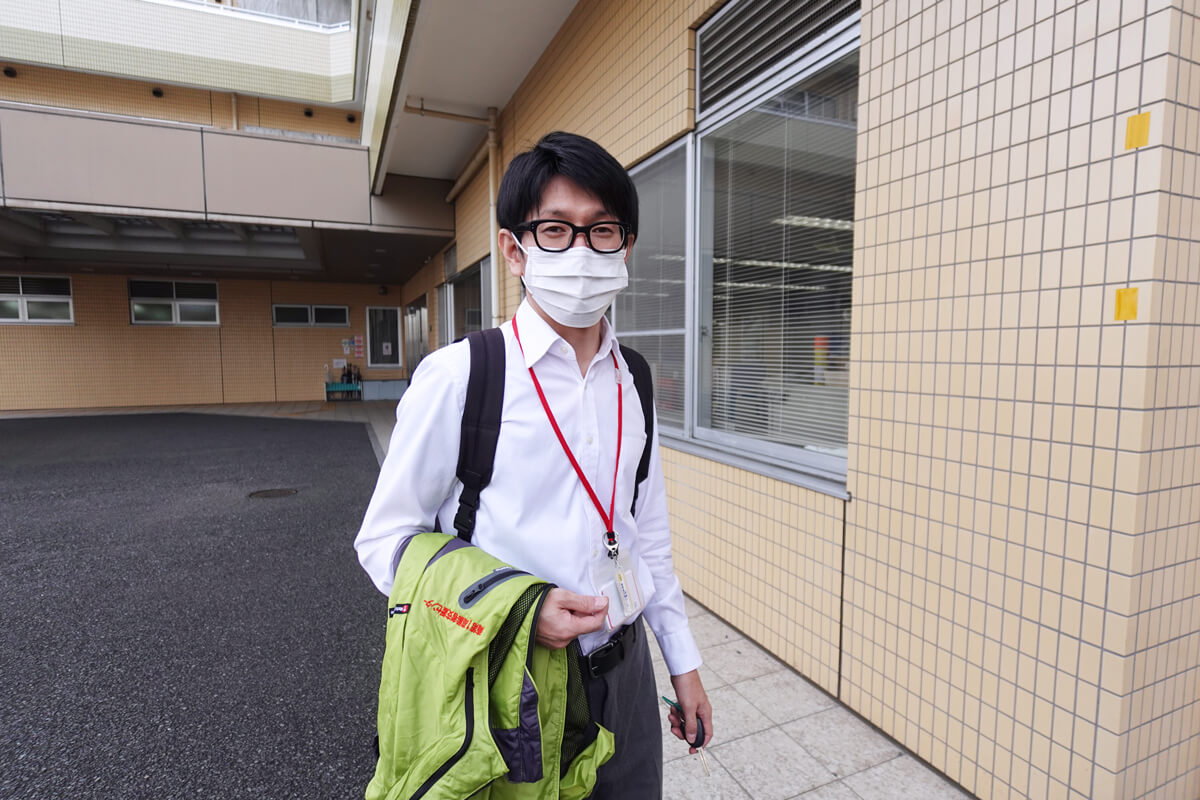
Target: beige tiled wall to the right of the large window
[[1005, 617]]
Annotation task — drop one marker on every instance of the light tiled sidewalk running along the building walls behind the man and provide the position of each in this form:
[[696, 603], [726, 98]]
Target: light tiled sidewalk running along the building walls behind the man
[[777, 736]]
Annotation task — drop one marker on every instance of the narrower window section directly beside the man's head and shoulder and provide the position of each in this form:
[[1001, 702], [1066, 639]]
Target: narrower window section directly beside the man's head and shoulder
[[650, 315]]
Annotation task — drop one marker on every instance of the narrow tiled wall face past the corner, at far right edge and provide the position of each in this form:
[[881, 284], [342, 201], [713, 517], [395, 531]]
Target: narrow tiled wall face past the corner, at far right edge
[[1161, 739]]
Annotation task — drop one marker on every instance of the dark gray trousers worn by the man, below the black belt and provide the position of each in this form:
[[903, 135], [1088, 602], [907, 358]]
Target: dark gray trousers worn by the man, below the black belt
[[627, 702]]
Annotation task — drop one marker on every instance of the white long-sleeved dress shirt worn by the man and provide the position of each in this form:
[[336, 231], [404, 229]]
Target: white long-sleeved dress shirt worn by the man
[[536, 514]]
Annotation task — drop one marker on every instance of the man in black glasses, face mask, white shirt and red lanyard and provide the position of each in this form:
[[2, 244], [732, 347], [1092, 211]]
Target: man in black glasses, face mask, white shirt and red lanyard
[[572, 436]]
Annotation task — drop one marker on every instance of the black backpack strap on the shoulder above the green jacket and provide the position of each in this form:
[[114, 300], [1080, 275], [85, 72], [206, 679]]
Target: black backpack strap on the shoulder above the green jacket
[[481, 424]]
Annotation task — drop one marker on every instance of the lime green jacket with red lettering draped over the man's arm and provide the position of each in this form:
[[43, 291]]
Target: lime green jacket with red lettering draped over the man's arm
[[470, 706]]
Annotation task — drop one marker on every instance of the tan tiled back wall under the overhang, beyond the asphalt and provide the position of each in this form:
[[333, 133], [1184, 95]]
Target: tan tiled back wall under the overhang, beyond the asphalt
[[106, 362]]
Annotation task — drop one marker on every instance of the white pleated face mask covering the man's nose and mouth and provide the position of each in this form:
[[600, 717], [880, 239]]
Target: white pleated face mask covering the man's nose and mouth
[[575, 287]]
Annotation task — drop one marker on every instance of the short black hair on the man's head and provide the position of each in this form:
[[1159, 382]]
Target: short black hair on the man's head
[[572, 157]]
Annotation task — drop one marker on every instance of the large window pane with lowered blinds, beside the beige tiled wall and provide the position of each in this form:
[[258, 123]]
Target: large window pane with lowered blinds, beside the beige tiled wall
[[777, 199]]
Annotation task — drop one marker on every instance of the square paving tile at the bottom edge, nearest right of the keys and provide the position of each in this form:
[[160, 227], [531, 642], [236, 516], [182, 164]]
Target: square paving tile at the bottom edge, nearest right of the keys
[[770, 766]]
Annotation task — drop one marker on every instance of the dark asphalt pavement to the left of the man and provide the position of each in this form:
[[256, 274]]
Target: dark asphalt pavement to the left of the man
[[167, 636]]
